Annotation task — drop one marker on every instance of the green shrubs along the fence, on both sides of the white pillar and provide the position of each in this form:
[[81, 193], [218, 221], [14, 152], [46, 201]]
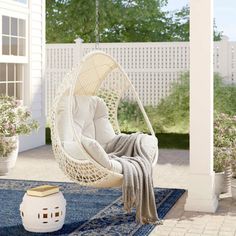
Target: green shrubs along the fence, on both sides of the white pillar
[[172, 113]]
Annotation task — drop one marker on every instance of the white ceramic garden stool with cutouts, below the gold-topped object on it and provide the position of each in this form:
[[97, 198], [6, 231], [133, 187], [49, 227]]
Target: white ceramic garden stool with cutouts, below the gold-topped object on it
[[43, 214]]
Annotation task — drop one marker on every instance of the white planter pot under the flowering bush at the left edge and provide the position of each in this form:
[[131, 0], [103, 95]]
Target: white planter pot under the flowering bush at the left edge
[[7, 163]]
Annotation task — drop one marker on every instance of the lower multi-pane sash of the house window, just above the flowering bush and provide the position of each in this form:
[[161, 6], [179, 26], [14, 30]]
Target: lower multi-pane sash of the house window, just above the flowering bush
[[11, 79]]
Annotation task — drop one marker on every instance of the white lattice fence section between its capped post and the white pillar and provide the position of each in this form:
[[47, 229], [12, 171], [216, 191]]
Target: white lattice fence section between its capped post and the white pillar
[[152, 67]]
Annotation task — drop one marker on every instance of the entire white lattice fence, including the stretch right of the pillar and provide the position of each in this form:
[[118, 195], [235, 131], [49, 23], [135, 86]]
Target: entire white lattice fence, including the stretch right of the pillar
[[152, 67]]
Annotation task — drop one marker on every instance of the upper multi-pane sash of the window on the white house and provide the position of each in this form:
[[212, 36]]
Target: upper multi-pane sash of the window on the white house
[[13, 36]]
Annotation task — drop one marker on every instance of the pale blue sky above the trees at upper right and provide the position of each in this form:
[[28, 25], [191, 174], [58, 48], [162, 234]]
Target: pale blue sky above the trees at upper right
[[224, 14]]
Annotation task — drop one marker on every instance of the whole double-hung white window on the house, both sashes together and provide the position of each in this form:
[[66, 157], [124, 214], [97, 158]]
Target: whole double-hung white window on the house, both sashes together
[[13, 64]]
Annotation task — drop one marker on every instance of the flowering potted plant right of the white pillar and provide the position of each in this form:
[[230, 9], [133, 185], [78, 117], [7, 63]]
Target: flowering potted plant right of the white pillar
[[225, 143]]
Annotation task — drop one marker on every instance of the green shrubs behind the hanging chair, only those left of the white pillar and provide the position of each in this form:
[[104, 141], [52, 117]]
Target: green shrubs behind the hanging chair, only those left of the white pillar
[[170, 116]]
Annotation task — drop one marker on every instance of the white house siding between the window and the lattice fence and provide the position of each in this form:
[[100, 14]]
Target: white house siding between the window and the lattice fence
[[35, 89]]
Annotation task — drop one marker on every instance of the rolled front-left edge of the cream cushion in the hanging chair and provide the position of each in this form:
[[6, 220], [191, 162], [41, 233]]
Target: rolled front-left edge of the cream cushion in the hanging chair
[[95, 150]]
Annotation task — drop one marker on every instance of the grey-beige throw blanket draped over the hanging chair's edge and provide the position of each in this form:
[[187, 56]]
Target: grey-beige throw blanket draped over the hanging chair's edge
[[137, 188]]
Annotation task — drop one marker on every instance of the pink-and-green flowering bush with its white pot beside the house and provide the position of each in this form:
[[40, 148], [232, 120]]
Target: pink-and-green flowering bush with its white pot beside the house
[[15, 120]]
